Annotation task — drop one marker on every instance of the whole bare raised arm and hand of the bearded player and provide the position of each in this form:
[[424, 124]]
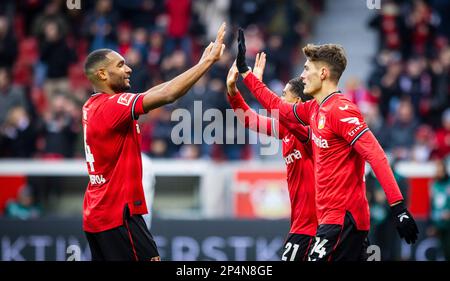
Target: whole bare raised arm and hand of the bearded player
[[177, 87]]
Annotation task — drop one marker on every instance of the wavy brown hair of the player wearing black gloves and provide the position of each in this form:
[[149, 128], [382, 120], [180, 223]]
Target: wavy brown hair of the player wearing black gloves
[[333, 55]]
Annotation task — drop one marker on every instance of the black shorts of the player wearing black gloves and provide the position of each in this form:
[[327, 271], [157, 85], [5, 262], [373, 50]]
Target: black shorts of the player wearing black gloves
[[335, 242]]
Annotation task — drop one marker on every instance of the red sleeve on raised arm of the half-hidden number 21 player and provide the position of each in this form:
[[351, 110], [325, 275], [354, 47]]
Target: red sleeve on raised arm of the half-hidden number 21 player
[[250, 119]]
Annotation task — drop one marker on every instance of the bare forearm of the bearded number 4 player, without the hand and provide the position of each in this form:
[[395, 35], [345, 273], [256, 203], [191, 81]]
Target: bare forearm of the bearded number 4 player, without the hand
[[170, 91]]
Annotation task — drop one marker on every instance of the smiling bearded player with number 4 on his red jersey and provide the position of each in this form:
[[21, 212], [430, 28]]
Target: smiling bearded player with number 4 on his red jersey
[[114, 200]]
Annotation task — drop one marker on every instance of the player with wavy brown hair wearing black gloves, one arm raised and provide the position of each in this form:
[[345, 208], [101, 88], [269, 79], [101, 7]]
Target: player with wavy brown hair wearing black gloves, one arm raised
[[342, 141]]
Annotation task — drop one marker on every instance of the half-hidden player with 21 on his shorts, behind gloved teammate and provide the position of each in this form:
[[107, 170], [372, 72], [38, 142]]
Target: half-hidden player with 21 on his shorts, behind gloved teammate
[[297, 153]]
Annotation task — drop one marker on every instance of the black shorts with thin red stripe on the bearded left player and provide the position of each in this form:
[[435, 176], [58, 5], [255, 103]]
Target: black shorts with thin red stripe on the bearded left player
[[131, 241]]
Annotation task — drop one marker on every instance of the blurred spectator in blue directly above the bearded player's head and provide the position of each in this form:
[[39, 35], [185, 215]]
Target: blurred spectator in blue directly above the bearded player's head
[[100, 26]]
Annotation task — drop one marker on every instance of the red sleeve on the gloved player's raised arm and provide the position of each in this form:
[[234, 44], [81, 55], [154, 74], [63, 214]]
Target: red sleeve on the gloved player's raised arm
[[289, 112]]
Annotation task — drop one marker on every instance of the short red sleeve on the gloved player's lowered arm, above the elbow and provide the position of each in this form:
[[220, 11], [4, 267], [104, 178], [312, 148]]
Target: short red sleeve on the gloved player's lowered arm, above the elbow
[[347, 121]]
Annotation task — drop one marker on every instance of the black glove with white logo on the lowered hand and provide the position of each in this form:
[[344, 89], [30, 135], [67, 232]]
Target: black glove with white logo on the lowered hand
[[404, 222]]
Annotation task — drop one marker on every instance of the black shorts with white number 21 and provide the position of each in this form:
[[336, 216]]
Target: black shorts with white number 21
[[296, 247]]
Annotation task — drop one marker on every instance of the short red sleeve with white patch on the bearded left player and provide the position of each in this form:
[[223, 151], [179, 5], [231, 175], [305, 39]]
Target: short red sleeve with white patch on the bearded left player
[[122, 108]]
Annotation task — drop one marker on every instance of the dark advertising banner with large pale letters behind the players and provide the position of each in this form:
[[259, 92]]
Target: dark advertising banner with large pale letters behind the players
[[182, 240]]
